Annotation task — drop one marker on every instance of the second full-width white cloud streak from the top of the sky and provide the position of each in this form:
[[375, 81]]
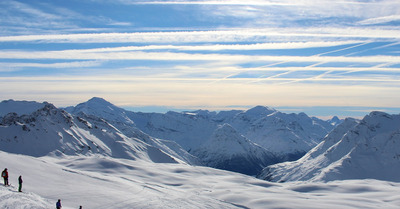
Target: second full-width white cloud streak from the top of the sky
[[140, 55]]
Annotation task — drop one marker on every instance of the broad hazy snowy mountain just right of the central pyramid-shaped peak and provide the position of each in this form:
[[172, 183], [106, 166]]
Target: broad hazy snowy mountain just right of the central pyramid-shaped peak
[[289, 136]]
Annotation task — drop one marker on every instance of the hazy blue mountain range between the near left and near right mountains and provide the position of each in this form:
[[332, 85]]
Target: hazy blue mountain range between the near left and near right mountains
[[276, 136]]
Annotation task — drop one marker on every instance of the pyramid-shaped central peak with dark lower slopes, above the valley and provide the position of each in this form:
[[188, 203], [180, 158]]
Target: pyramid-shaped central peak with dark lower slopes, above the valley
[[227, 149]]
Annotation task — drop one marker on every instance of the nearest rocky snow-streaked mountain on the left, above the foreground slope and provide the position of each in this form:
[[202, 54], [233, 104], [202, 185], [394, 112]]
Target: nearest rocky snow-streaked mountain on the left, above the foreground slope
[[52, 131]]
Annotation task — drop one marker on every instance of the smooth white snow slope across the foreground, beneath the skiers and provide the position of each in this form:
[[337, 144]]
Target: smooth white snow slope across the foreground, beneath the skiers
[[102, 182]]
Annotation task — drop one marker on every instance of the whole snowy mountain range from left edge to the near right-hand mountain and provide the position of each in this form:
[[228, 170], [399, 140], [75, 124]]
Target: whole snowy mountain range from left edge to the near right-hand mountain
[[243, 141]]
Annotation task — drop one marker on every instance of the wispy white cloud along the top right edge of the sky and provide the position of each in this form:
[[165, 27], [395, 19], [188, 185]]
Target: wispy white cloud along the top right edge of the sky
[[287, 10]]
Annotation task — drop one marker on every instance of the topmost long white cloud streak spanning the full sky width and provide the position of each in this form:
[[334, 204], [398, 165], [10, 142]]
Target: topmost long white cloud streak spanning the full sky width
[[222, 36]]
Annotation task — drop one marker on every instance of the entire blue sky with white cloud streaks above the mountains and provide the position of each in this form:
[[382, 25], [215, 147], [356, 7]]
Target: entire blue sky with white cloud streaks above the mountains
[[318, 56]]
